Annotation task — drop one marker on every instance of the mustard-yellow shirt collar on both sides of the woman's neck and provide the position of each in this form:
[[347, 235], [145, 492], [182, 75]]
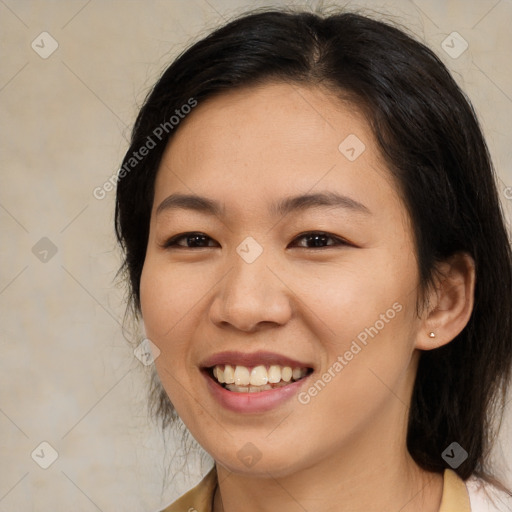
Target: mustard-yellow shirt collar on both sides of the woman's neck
[[200, 498]]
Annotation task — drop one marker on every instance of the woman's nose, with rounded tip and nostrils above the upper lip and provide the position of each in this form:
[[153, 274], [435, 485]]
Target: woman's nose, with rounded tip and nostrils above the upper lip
[[251, 296]]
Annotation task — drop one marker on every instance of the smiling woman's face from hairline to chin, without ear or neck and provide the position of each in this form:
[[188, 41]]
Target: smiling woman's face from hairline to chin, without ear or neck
[[299, 255]]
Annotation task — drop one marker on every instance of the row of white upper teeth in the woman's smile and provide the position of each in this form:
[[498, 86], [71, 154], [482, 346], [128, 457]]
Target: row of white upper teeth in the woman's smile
[[256, 376]]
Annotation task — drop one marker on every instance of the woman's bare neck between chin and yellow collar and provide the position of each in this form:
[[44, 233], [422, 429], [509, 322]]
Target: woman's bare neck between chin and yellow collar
[[333, 488]]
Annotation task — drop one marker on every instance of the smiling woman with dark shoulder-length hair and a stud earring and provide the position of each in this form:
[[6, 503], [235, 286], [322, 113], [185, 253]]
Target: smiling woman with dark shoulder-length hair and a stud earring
[[314, 241]]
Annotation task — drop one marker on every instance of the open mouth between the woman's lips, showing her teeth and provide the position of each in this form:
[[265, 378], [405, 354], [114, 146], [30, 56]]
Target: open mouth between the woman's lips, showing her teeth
[[246, 379]]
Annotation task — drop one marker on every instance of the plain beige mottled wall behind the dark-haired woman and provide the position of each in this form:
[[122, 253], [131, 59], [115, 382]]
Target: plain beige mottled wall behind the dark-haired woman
[[67, 375]]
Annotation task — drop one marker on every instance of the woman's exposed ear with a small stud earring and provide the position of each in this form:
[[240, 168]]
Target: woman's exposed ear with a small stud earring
[[450, 302]]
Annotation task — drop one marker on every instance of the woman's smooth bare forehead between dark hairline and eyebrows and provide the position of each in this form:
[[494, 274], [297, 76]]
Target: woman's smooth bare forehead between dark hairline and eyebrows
[[263, 142]]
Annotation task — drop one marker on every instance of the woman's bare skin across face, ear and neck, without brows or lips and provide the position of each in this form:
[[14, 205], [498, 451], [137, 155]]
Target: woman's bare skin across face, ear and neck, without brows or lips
[[345, 450]]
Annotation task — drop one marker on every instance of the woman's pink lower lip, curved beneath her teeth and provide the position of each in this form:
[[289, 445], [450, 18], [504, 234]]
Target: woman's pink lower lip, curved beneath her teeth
[[260, 401]]
